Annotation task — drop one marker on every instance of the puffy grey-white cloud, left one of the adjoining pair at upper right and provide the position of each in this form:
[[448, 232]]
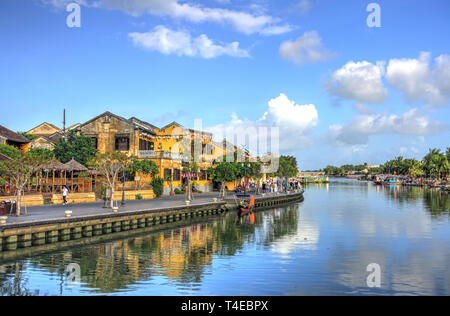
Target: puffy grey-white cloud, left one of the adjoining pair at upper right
[[360, 81]]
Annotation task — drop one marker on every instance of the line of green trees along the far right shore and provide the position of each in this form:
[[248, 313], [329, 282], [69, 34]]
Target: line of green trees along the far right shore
[[435, 165]]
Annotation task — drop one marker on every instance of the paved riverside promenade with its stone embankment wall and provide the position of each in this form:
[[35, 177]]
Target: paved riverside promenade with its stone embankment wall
[[48, 225]]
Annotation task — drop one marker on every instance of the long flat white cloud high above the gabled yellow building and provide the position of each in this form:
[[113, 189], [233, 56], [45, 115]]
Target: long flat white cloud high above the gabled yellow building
[[168, 42]]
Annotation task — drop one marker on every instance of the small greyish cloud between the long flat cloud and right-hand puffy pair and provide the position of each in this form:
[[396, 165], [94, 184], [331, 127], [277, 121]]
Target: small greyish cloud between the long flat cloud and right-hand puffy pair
[[308, 48]]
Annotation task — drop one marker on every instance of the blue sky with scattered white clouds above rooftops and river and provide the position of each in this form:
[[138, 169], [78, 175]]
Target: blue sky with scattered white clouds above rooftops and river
[[340, 91]]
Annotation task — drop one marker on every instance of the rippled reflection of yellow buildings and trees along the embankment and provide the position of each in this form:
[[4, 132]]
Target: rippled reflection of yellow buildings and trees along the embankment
[[180, 255]]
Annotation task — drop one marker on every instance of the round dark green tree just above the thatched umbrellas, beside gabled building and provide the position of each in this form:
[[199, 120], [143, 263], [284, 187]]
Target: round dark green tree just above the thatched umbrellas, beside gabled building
[[80, 147]]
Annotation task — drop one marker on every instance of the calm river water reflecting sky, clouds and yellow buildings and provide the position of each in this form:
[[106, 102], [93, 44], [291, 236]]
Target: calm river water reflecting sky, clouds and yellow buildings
[[321, 246]]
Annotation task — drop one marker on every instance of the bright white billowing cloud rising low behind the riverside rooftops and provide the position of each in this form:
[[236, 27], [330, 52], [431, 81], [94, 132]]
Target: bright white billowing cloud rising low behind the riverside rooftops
[[294, 121]]
